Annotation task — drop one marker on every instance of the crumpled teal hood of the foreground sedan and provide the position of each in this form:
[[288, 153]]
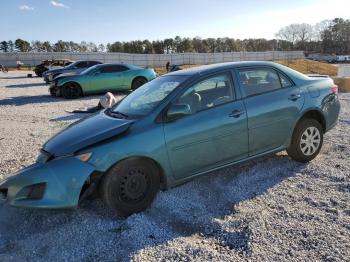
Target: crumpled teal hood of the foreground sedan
[[86, 132]]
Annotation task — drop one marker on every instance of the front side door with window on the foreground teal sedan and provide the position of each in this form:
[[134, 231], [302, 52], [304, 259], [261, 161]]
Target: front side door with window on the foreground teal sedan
[[213, 134]]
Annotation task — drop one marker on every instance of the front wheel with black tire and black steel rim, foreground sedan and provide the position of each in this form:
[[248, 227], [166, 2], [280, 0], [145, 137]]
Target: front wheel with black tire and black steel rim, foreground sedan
[[130, 186]]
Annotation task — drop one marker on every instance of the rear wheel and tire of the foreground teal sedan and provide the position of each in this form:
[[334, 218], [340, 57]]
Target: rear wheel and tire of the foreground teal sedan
[[306, 141]]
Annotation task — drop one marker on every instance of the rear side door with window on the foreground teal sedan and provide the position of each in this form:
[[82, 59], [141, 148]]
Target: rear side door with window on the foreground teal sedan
[[273, 103]]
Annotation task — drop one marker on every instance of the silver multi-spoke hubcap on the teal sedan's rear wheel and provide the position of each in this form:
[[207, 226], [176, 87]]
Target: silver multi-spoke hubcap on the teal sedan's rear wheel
[[310, 141]]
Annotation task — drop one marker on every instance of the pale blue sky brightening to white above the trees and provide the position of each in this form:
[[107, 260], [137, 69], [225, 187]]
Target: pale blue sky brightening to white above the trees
[[107, 21]]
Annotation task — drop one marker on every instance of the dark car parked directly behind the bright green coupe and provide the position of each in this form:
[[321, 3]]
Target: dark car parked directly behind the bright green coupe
[[74, 68]]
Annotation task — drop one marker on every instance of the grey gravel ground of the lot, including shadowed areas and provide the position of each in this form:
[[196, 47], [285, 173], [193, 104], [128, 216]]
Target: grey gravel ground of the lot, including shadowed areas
[[270, 209]]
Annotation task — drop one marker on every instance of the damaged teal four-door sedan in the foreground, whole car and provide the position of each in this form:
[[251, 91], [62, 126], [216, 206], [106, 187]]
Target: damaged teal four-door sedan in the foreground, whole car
[[177, 127]]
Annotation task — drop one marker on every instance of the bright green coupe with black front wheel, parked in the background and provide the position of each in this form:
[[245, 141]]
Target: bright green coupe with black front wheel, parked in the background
[[100, 79]]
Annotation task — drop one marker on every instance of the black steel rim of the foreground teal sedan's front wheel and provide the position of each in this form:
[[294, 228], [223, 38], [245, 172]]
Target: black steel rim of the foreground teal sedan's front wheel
[[134, 185]]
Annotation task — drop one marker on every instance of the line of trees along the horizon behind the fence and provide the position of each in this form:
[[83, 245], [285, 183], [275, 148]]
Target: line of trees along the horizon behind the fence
[[329, 36]]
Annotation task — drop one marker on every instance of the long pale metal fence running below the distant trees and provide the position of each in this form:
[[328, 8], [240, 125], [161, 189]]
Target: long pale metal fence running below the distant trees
[[151, 60]]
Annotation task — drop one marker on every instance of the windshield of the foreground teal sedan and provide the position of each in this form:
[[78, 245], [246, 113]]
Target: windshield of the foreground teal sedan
[[144, 99]]
